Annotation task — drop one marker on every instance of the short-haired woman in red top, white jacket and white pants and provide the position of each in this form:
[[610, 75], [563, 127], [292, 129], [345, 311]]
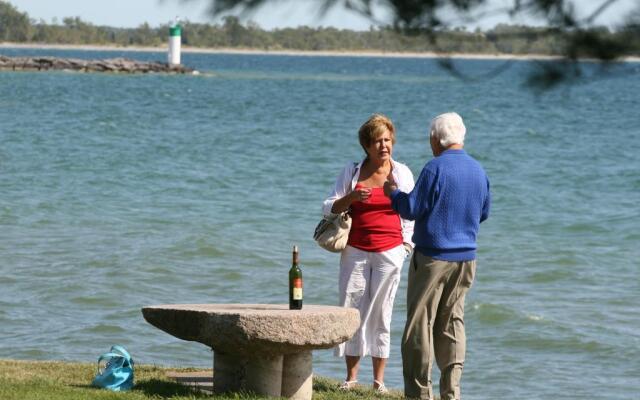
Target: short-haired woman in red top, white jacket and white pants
[[379, 242]]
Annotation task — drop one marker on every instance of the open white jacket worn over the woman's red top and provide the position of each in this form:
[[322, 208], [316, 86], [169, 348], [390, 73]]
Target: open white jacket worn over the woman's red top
[[348, 178]]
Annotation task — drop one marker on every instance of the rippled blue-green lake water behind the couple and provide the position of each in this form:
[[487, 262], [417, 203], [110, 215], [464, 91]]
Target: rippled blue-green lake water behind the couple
[[120, 191]]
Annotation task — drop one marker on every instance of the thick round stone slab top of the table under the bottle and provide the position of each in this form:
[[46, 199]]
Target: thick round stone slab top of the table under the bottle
[[256, 328]]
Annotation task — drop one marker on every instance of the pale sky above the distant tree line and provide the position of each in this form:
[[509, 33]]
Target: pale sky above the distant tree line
[[286, 13]]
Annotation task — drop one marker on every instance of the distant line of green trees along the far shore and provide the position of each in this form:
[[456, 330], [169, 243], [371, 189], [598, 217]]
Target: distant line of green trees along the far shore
[[17, 27]]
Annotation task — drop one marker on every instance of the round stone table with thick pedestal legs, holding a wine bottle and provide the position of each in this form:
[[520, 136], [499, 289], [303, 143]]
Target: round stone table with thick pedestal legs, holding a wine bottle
[[262, 348]]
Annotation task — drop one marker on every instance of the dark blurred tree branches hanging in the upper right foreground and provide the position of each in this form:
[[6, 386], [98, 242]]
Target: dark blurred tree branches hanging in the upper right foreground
[[581, 37]]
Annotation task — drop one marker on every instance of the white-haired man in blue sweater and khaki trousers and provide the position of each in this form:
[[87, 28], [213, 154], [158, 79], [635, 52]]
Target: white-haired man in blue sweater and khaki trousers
[[450, 199]]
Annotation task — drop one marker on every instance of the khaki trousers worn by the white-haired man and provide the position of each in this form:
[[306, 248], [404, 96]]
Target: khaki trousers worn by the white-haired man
[[435, 325]]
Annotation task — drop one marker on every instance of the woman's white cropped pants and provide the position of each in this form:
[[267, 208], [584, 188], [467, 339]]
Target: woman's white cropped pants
[[368, 282]]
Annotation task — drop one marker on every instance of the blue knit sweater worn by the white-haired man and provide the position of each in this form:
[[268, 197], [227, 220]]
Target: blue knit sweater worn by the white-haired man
[[450, 199]]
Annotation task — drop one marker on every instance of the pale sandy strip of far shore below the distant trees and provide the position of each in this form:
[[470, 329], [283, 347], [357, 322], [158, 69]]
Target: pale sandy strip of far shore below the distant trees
[[304, 53]]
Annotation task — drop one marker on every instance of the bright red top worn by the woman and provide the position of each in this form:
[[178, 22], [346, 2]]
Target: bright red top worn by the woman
[[375, 226]]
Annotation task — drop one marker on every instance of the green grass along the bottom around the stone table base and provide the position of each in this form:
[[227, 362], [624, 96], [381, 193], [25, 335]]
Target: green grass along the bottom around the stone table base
[[54, 380]]
